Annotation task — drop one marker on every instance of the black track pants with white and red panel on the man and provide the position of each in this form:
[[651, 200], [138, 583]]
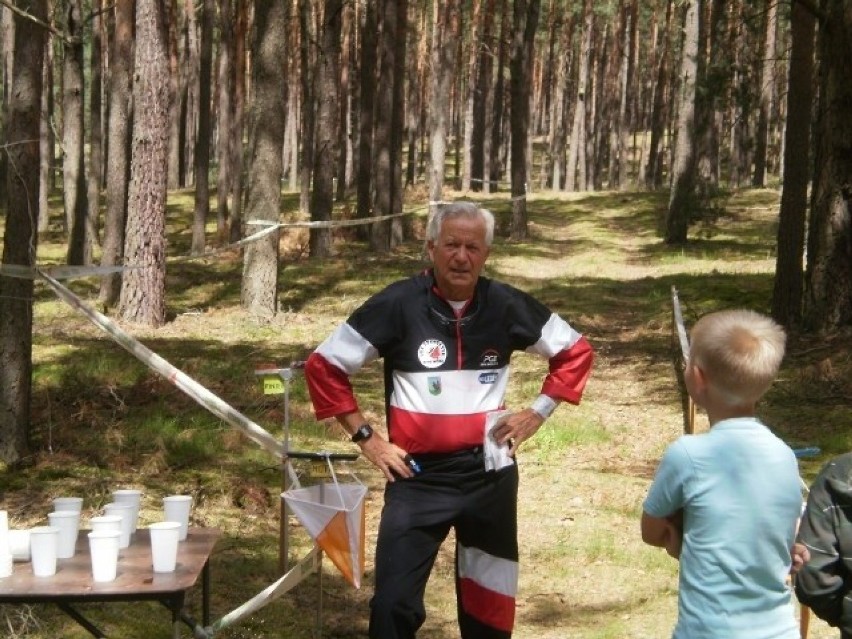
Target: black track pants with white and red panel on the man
[[451, 491]]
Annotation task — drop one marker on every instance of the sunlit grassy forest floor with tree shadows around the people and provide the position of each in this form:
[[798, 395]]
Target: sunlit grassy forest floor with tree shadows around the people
[[595, 258]]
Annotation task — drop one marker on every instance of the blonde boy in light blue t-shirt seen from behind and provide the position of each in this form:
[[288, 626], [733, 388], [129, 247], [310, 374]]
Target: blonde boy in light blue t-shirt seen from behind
[[726, 502]]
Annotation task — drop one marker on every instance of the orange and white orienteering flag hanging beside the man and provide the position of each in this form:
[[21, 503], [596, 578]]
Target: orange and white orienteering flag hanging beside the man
[[333, 515]]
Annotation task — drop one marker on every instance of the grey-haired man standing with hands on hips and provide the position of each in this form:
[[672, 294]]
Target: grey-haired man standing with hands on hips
[[446, 337]]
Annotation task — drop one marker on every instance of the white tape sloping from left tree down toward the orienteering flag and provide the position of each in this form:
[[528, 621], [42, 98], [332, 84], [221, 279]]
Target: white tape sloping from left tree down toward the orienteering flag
[[181, 380]]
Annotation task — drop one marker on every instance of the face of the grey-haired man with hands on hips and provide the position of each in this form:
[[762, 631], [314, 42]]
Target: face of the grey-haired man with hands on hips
[[458, 256]]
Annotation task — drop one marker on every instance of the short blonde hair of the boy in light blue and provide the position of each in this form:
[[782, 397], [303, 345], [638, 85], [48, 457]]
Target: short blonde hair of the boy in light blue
[[739, 351]]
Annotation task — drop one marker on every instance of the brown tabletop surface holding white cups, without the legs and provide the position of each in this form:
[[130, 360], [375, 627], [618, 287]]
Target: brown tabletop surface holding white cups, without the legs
[[135, 577]]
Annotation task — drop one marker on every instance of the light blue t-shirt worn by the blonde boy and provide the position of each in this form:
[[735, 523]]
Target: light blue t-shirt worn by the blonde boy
[[739, 487]]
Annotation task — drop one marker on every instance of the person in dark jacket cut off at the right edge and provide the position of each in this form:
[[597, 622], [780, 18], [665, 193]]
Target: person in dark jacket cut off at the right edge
[[824, 583]]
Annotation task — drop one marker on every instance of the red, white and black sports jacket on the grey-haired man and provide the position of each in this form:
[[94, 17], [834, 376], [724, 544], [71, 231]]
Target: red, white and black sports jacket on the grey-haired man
[[443, 370]]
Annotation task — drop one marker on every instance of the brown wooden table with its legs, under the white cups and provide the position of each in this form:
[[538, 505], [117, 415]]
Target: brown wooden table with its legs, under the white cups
[[135, 579]]
